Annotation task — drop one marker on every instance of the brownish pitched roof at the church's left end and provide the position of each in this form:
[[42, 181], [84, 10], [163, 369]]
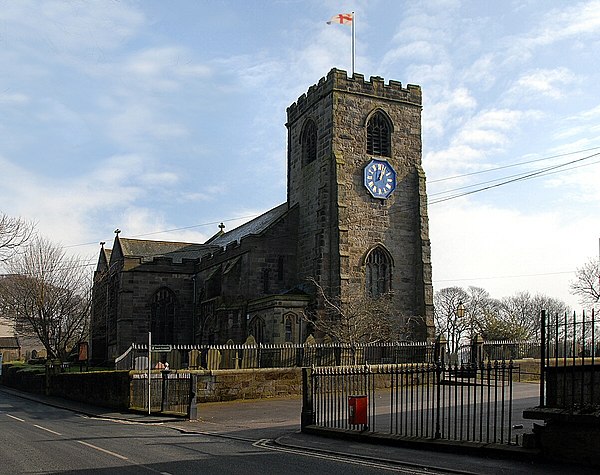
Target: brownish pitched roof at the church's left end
[[148, 250]]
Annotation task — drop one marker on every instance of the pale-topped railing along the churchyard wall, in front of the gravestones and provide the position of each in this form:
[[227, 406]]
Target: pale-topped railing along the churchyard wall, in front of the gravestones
[[274, 356]]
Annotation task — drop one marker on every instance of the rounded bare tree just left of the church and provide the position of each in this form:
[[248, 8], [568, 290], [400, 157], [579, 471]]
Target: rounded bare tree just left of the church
[[48, 295]]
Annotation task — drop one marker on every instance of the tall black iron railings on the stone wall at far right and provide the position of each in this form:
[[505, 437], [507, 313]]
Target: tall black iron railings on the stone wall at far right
[[570, 363]]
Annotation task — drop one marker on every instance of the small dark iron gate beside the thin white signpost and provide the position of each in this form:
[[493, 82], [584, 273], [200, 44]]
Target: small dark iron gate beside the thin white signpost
[[170, 392]]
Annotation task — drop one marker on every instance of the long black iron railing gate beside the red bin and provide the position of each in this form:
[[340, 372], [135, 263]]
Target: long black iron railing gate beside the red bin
[[469, 402]]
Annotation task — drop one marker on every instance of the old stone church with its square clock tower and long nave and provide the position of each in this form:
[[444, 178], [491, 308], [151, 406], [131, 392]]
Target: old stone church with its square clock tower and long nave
[[355, 221]]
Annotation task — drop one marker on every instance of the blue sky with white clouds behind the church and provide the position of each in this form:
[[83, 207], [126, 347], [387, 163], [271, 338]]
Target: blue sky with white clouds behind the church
[[163, 119]]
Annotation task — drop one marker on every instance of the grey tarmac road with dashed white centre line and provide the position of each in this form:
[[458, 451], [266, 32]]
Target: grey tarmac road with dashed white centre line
[[35, 438]]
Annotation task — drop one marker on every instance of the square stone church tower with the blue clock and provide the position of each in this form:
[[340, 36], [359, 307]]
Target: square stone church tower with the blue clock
[[354, 172]]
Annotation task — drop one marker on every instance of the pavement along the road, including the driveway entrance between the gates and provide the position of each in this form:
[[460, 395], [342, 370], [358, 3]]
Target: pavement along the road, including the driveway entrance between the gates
[[278, 422]]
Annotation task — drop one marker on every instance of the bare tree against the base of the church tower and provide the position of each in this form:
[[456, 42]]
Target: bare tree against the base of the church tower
[[363, 319]]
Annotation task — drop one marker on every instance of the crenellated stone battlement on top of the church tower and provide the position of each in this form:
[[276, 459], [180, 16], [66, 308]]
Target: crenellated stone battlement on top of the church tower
[[338, 80]]
